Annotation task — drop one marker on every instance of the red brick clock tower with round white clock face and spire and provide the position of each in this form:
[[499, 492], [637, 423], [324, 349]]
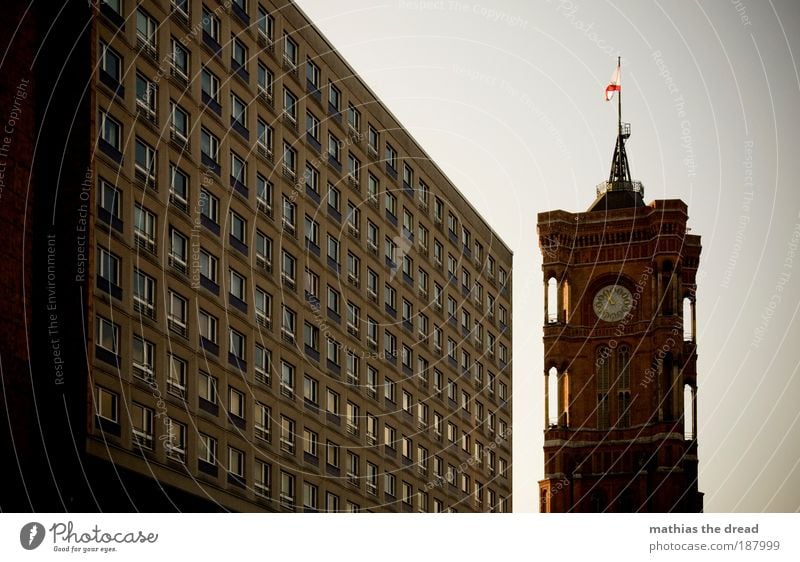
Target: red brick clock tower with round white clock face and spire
[[620, 375]]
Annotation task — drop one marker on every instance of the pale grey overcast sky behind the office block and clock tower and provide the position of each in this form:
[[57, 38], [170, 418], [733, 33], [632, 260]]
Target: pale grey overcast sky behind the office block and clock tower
[[507, 98]]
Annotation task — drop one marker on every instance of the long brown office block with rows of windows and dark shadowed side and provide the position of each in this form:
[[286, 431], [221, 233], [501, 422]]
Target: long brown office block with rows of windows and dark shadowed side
[[249, 287]]
